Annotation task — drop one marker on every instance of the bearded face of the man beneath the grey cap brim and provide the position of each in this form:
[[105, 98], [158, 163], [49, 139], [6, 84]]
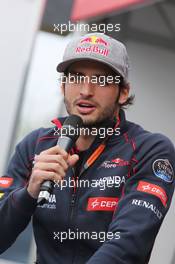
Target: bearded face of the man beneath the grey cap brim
[[93, 100]]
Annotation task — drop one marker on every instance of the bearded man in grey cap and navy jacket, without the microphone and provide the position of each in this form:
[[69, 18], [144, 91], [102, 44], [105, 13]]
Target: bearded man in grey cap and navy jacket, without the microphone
[[117, 186]]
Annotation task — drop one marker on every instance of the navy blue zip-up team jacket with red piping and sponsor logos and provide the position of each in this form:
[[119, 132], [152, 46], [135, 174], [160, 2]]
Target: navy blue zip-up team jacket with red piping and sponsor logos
[[110, 212]]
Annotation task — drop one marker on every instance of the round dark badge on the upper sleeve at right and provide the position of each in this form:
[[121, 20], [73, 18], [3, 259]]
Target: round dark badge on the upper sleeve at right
[[163, 169]]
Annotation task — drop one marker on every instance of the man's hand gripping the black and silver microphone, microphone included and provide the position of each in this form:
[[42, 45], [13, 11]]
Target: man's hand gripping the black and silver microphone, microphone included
[[52, 164]]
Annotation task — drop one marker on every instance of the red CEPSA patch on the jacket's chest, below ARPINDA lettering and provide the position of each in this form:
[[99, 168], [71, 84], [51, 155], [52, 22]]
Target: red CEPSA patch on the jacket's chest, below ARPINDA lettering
[[102, 203]]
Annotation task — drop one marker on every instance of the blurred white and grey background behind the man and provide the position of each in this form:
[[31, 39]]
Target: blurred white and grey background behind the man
[[30, 94]]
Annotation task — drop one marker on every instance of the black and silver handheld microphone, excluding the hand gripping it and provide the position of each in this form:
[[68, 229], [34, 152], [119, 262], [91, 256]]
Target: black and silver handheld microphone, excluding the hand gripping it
[[69, 133]]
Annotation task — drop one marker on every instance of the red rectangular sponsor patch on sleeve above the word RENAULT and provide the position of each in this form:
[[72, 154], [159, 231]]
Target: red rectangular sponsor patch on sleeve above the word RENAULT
[[154, 190]]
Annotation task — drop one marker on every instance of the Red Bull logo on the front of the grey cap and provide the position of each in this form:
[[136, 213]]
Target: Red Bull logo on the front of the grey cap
[[94, 46]]
